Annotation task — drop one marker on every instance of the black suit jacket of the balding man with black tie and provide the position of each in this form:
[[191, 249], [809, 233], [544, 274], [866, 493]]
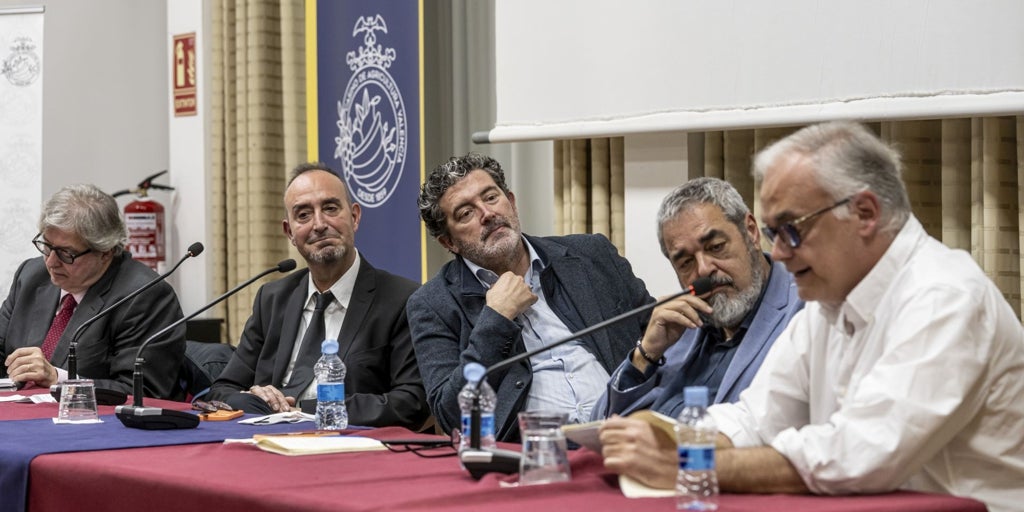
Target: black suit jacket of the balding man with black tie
[[382, 383]]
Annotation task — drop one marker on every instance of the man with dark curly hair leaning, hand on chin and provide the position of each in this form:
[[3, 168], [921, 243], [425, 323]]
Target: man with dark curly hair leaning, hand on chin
[[506, 293]]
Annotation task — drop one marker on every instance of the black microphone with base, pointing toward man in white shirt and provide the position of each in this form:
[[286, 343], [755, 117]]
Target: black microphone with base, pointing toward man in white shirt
[[482, 461]]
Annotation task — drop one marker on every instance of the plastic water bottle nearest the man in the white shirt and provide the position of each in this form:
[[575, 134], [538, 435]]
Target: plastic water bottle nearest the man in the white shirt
[[697, 484]]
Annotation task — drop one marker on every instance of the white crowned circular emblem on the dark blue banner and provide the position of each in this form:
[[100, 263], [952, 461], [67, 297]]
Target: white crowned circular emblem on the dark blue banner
[[372, 125]]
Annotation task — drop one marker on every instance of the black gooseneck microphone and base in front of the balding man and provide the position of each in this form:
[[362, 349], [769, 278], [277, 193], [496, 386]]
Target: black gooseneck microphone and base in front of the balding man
[[138, 416]]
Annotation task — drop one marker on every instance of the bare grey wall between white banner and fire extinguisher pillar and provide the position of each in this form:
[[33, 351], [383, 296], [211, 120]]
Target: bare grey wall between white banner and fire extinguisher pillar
[[105, 94]]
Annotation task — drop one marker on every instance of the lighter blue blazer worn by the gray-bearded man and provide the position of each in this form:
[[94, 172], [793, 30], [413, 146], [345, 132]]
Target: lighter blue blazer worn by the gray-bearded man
[[663, 392]]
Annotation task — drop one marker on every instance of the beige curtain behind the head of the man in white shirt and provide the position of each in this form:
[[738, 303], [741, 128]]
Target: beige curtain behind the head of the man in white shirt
[[965, 179]]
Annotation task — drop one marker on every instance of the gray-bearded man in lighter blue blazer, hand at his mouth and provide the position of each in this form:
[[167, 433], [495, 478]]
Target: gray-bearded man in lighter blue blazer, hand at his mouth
[[718, 340]]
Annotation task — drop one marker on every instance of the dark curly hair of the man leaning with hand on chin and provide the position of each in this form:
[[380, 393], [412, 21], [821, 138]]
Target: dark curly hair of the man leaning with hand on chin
[[448, 175]]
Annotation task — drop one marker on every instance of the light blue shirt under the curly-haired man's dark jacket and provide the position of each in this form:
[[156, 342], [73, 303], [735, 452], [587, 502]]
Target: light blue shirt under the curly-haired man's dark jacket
[[568, 378]]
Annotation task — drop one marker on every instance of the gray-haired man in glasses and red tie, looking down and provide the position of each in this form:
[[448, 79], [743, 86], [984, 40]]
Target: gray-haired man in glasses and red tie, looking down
[[83, 270]]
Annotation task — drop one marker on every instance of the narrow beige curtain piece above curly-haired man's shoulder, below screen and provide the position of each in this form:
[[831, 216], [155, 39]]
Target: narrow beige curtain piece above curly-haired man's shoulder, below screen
[[590, 189]]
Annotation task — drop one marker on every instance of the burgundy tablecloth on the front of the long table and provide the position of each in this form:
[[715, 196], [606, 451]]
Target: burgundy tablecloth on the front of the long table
[[230, 479]]
